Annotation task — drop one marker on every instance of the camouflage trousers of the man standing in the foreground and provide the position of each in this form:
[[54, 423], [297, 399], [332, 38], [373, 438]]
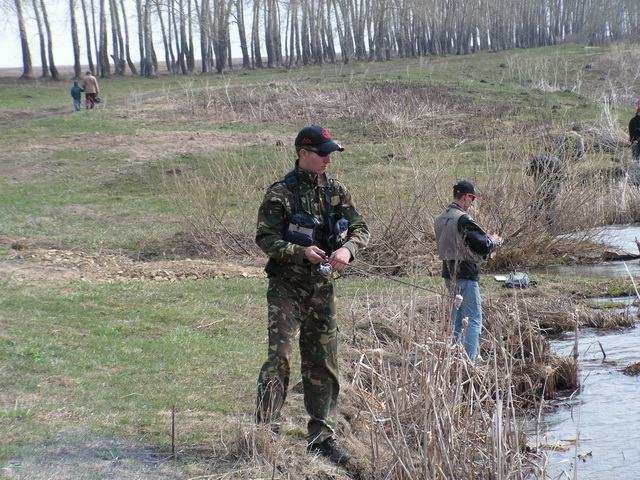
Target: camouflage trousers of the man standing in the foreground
[[310, 309]]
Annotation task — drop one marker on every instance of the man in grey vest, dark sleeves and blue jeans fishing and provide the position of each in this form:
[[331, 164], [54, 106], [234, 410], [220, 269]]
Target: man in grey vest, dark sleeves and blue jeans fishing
[[462, 245]]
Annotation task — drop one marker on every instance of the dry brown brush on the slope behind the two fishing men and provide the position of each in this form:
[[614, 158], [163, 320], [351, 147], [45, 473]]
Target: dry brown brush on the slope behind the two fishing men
[[412, 120]]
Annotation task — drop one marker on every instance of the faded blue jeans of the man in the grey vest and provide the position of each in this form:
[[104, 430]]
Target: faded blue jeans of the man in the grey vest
[[470, 308]]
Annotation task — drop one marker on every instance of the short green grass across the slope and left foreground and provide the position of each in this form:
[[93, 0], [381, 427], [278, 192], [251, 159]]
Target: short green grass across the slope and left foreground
[[90, 372]]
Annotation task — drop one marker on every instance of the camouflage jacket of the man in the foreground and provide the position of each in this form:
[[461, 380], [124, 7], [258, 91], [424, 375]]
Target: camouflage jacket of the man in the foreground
[[278, 206]]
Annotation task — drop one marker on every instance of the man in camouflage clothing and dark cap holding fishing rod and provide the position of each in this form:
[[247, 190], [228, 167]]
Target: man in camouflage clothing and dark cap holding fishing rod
[[301, 289]]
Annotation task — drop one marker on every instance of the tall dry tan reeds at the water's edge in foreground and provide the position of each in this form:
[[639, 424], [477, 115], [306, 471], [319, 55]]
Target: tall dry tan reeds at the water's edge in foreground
[[425, 412]]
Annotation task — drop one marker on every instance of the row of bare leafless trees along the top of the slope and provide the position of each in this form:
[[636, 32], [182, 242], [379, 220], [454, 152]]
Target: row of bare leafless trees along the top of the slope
[[284, 33]]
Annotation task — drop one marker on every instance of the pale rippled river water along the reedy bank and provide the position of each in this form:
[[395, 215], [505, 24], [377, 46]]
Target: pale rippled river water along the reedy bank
[[597, 430]]
